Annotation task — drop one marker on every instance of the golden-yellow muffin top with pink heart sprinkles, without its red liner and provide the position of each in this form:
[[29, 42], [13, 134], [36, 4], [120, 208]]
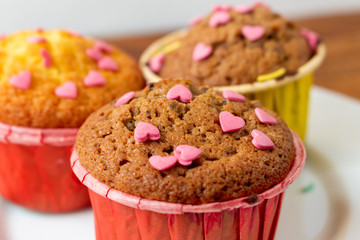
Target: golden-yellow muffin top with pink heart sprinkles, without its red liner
[[55, 79]]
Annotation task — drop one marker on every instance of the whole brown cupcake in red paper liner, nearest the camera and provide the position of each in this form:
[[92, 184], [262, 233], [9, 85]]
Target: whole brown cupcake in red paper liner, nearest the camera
[[175, 158]]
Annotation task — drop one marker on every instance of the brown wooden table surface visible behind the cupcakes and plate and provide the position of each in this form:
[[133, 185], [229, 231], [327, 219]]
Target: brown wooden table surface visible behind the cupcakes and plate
[[341, 33]]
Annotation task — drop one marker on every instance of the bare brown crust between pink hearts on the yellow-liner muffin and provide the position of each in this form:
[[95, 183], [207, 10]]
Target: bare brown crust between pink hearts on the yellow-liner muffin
[[234, 59]]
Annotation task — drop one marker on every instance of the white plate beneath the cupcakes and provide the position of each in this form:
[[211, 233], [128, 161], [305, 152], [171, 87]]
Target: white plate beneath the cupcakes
[[331, 210]]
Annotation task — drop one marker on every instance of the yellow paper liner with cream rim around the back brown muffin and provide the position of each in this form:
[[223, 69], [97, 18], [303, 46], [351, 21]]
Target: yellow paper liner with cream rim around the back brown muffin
[[289, 97]]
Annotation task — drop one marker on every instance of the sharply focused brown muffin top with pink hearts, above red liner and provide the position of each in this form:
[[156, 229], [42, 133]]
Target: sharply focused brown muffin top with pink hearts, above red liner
[[178, 143]]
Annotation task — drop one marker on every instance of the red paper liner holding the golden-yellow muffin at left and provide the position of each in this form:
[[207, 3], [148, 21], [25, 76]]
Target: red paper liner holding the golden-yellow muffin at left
[[35, 171]]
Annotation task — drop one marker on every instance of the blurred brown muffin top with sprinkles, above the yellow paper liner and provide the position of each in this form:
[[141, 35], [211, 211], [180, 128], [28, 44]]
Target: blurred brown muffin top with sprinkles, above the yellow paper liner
[[236, 45]]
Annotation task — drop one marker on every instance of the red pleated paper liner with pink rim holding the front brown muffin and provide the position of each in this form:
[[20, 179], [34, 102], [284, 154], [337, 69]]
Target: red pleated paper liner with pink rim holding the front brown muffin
[[123, 216]]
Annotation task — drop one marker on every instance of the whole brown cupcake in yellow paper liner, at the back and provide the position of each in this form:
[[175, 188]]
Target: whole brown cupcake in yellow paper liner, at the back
[[247, 49]]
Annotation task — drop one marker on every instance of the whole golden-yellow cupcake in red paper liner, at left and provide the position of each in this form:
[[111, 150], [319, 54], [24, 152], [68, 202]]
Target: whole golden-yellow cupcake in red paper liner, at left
[[50, 82]]
